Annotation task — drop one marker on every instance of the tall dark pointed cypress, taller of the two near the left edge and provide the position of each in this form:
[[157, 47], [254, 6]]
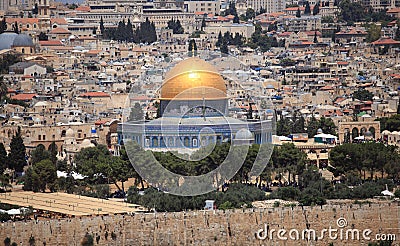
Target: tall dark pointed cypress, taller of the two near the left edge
[[17, 155]]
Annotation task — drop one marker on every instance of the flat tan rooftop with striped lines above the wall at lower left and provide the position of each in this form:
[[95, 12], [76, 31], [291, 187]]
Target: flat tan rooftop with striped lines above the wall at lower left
[[68, 204]]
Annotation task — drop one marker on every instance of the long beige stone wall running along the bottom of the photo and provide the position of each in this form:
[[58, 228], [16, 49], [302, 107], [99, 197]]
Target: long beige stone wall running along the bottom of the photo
[[233, 227]]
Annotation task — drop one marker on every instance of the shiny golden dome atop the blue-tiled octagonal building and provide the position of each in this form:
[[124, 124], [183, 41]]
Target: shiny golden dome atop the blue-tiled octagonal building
[[193, 79]]
